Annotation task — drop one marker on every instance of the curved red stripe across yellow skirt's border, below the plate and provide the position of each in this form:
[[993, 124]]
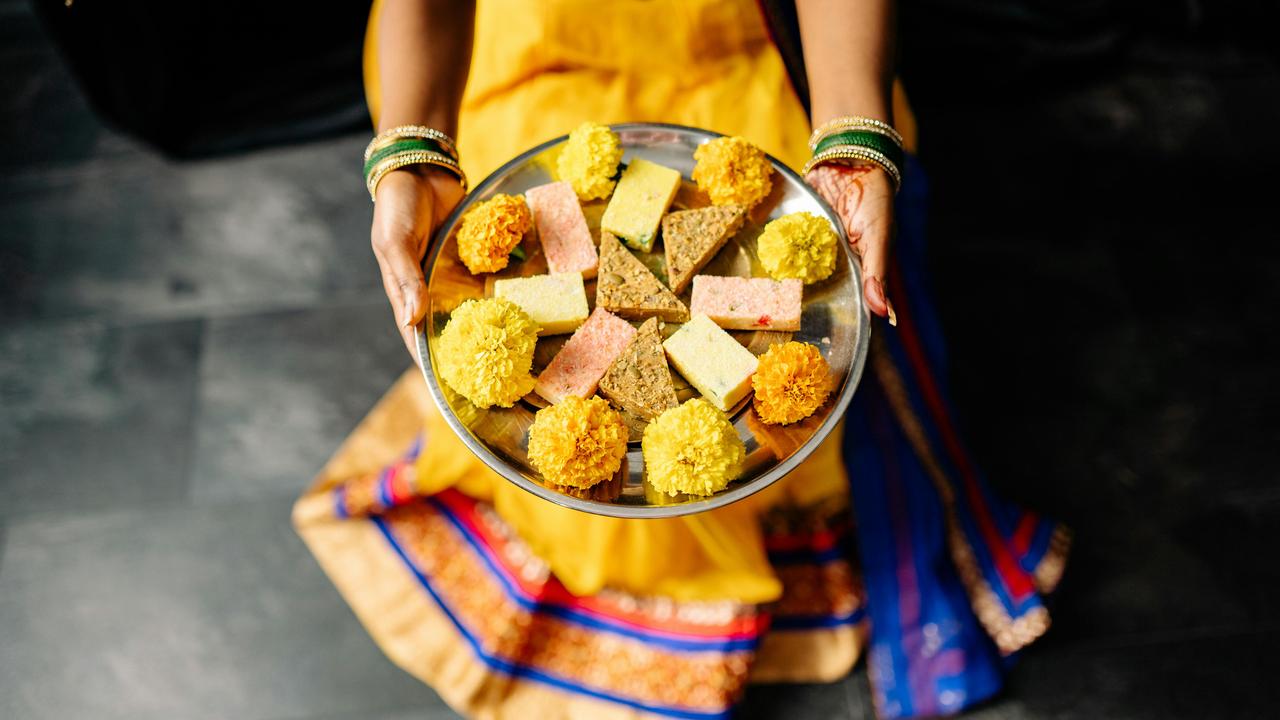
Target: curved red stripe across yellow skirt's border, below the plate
[[556, 594]]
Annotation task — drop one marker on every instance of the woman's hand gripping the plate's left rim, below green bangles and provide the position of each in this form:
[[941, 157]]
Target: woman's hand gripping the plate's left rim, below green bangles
[[412, 204]]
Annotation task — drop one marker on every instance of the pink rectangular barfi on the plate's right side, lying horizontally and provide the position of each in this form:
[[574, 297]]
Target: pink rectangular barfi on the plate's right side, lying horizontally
[[748, 304]]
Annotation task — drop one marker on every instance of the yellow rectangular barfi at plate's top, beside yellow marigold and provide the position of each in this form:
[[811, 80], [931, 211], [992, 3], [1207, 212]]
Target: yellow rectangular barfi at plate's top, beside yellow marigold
[[639, 203]]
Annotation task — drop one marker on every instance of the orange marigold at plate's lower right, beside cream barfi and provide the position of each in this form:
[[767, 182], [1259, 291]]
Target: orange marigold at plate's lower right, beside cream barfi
[[792, 381]]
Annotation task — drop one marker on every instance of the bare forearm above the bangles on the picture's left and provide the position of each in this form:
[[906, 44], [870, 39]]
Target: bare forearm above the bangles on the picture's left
[[424, 51]]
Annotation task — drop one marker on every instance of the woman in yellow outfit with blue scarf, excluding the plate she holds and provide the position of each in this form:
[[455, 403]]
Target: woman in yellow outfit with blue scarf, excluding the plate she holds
[[511, 607]]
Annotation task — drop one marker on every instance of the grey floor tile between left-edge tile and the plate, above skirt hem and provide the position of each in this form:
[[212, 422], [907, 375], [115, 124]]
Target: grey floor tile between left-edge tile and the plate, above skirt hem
[[280, 393]]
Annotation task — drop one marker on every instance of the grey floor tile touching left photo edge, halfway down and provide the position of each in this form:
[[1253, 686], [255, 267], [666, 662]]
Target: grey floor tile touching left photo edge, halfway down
[[95, 416]]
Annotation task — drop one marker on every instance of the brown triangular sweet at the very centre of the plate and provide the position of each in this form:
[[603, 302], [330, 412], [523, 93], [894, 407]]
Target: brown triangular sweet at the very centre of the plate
[[627, 288]]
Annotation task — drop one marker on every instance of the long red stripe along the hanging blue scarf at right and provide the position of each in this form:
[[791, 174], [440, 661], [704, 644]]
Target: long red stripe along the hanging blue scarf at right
[[1016, 580]]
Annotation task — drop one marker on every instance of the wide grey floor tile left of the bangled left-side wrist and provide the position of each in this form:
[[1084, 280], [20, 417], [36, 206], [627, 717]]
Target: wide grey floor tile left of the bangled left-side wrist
[[141, 236]]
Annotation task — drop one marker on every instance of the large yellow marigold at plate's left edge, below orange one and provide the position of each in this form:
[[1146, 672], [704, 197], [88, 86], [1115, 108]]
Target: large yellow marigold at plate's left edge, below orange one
[[487, 350]]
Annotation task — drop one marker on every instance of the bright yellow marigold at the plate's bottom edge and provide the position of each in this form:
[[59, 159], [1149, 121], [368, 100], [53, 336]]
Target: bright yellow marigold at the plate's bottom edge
[[692, 449]]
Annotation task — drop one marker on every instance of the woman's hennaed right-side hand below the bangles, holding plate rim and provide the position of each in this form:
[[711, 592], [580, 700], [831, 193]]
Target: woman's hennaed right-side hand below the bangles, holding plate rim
[[863, 197]]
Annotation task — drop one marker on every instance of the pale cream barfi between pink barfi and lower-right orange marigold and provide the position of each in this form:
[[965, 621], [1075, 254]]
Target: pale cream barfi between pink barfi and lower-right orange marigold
[[712, 362]]
